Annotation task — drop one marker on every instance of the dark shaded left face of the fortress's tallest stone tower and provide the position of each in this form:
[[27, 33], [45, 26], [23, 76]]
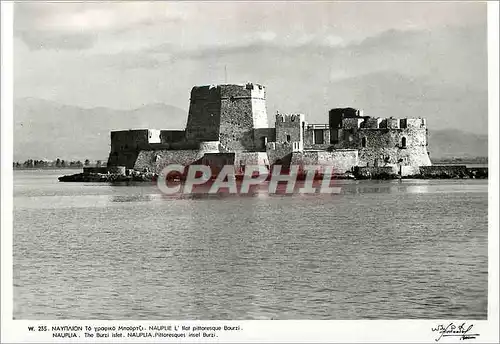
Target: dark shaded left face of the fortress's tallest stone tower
[[204, 114]]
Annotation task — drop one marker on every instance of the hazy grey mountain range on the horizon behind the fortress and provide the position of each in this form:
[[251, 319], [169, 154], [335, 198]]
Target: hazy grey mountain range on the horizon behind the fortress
[[48, 130]]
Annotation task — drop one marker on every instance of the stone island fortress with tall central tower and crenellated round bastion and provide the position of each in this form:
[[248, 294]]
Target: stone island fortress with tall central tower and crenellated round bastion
[[228, 125]]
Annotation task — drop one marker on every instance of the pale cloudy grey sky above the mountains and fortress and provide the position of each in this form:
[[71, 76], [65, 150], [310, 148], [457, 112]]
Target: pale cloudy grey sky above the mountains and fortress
[[391, 59]]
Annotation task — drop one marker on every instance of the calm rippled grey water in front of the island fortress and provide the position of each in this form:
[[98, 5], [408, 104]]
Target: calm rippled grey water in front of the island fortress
[[380, 250]]
